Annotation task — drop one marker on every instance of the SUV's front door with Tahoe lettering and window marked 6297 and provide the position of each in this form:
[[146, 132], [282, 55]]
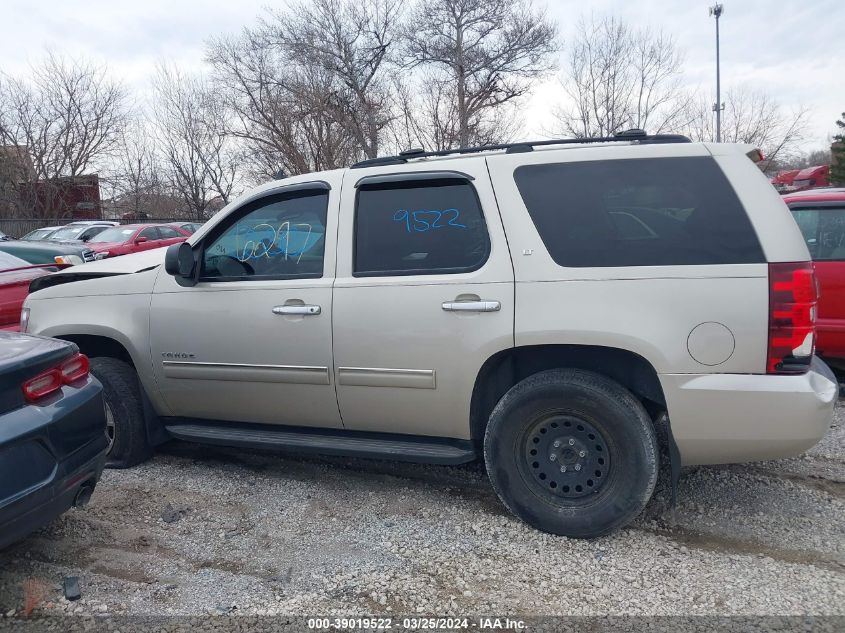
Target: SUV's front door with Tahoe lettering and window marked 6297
[[252, 340]]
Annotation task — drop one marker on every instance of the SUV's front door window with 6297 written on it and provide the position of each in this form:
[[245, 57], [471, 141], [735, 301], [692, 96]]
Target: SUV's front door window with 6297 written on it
[[278, 237]]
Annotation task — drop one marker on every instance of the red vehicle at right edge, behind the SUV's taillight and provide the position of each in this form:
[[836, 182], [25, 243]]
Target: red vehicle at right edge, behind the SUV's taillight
[[820, 215]]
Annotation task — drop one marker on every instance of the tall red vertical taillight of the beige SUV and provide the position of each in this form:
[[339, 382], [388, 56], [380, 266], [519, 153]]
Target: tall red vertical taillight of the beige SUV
[[793, 294]]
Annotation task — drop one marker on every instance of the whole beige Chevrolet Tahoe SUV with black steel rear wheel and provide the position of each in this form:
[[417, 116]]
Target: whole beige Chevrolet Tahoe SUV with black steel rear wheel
[[542, 306]]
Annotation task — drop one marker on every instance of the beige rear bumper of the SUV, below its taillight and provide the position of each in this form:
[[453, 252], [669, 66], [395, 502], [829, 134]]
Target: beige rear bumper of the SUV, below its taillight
[[726, 418]]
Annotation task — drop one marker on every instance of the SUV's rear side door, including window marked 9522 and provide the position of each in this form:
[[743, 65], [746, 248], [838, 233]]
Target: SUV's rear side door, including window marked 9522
[[423, 296]]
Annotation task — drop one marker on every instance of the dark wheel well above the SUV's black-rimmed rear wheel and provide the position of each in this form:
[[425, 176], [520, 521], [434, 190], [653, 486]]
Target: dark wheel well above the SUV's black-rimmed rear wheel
[[503, 370]]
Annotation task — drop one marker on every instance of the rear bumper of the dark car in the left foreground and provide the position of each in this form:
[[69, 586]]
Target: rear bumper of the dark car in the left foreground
[[48, 455]]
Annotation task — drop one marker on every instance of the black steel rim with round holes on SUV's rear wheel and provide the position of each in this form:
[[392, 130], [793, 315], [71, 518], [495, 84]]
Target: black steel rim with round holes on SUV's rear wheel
[[566, 457]]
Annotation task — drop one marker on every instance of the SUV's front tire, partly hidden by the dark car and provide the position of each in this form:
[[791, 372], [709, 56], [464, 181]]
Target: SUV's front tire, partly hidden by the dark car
[[122, 394]]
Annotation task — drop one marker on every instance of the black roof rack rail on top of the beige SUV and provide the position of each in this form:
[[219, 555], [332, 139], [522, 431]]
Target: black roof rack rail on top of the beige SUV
[[633, 135]]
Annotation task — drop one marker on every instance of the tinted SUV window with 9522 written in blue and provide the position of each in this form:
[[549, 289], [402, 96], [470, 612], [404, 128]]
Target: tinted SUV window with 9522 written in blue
[[419, 228]]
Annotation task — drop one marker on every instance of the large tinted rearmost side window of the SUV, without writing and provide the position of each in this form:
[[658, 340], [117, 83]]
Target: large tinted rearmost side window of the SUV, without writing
[[643, 212]]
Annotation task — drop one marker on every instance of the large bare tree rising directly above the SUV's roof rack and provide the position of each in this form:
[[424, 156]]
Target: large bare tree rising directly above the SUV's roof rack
[[481, 55]]
